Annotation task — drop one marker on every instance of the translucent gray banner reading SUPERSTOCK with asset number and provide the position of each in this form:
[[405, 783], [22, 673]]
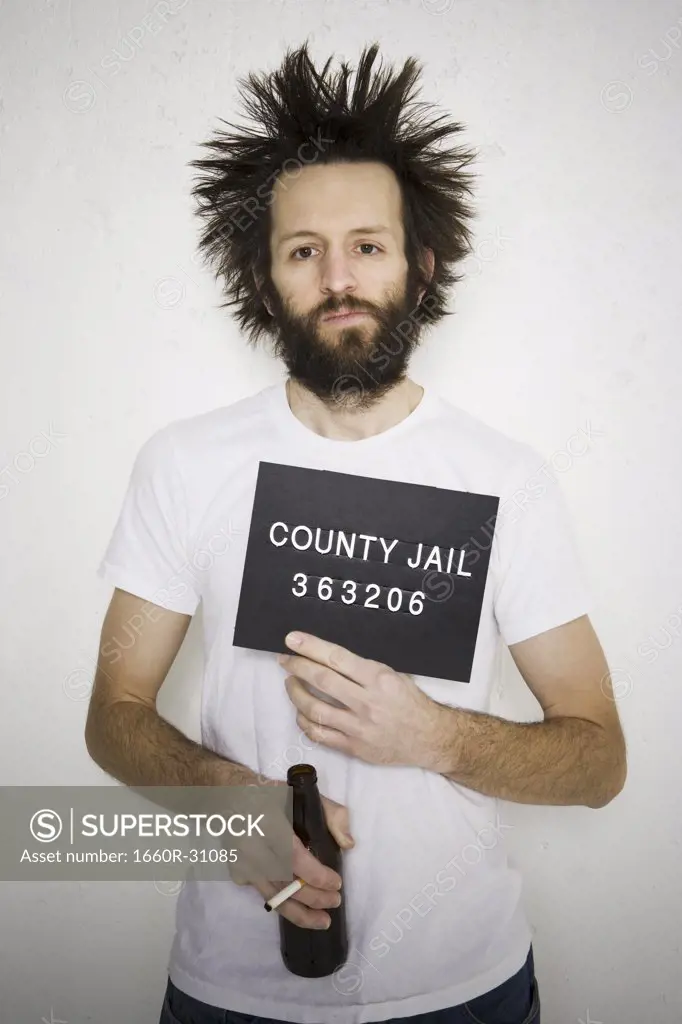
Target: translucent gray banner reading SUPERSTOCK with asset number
[[242, 834]]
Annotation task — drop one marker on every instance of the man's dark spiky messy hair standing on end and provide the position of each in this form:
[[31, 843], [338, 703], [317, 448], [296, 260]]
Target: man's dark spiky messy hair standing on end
[[301, 111]]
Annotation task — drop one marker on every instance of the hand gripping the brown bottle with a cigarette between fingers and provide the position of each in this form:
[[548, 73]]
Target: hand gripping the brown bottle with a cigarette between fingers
[[306, 908]]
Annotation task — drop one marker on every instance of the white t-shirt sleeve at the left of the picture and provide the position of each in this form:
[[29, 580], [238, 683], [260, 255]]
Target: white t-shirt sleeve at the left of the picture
[[147, 554]]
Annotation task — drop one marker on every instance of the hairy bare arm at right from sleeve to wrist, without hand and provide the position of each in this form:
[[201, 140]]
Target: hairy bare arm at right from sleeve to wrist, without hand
[[576, 756]]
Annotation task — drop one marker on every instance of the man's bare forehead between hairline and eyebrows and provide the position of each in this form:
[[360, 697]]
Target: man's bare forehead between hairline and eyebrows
[[335, 199]]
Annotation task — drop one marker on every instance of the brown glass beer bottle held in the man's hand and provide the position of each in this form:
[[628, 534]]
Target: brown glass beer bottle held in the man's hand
[[308, 952]]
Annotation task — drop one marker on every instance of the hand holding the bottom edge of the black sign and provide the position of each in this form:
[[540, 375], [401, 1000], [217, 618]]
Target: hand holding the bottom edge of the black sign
[[388, 719]]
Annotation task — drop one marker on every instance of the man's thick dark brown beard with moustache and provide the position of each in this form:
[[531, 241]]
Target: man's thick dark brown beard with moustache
[[354, 366]]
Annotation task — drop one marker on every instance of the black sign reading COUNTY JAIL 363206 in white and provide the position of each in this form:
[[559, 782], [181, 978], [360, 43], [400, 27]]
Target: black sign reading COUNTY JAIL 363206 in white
[[393, 572]]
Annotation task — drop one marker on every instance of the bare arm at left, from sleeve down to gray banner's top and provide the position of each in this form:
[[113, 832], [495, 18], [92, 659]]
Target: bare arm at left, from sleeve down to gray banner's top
[[124, 733]]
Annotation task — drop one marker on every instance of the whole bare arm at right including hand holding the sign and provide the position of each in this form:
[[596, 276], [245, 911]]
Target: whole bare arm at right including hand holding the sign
[[576, 756]]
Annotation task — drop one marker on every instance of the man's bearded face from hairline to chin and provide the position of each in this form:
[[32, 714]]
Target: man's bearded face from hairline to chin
[[337, 244]]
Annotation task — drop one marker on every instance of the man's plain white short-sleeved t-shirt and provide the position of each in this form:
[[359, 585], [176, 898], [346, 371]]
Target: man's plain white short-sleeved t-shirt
[[434, 909]]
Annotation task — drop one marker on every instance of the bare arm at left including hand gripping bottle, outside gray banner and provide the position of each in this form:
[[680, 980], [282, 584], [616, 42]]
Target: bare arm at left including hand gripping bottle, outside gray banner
[[126, 737]]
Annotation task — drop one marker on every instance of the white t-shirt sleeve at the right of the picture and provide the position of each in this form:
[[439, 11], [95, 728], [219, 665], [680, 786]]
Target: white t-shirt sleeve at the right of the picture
[[540, 577]]
